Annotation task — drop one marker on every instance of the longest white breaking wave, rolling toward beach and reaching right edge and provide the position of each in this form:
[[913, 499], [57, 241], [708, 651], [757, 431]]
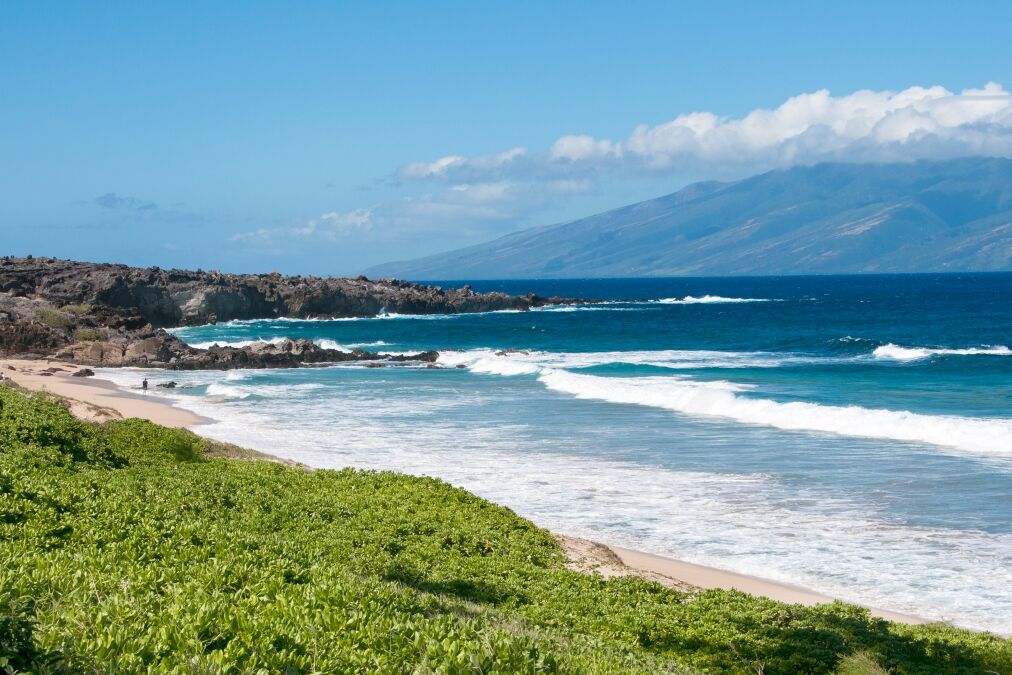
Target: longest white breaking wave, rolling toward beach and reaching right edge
[[979, 436]]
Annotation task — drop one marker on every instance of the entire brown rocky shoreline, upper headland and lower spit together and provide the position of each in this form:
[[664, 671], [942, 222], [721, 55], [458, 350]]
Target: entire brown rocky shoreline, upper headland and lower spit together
[[106, 315]]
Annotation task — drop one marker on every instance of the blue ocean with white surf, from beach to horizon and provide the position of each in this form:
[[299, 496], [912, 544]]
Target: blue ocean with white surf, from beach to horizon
[[852, 436]]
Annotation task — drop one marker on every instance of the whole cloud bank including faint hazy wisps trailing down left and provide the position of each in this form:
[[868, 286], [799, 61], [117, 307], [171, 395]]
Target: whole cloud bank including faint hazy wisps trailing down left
[[487, 195]]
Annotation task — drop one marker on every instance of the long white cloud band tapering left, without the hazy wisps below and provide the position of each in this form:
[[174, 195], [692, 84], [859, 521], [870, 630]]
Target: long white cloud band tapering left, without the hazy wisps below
[[919, 123]]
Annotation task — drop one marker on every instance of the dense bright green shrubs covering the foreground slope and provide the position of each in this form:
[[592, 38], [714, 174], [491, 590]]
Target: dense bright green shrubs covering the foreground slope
[[125, 549]]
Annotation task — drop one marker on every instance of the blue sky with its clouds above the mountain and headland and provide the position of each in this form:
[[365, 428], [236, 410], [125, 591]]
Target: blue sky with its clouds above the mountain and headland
[[327, 137]]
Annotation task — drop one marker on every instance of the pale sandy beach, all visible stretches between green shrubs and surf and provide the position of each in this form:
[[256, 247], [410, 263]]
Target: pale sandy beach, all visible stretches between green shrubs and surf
[[98, 400]]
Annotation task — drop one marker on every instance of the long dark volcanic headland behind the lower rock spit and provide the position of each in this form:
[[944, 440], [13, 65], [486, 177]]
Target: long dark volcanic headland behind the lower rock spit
[[176, 298]]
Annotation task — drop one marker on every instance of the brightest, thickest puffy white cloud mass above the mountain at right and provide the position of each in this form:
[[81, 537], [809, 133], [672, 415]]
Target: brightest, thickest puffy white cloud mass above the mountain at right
[[866, 126]]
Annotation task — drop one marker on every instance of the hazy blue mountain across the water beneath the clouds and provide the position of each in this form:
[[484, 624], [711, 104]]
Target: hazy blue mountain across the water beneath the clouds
[[929, 216]]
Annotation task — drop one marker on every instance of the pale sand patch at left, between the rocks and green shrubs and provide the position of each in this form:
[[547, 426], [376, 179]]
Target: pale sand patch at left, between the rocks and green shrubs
[[93, 399]]
